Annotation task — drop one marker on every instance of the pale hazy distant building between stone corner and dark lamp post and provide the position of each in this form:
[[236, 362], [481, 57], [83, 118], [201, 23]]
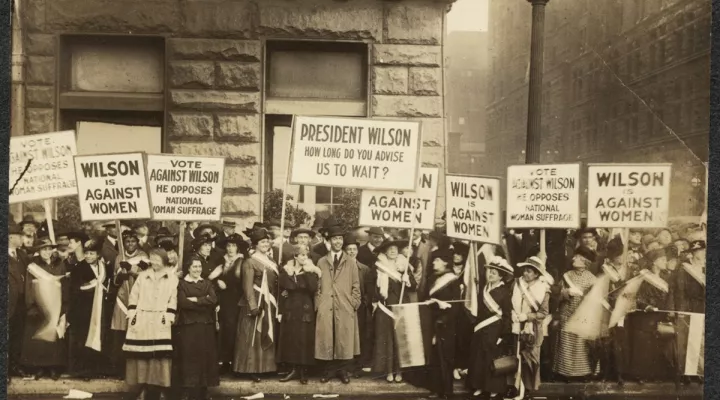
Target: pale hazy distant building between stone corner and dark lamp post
[[466, 74]]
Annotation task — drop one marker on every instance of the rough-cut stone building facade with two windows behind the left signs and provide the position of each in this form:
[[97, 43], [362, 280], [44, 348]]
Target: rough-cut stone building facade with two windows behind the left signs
[[224, 72]]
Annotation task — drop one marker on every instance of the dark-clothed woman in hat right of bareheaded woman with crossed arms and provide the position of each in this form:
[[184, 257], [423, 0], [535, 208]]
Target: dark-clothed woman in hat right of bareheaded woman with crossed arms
[[229, 289]]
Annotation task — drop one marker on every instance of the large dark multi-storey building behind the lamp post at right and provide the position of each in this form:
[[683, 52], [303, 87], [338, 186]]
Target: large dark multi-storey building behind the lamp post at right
[[625, 81]]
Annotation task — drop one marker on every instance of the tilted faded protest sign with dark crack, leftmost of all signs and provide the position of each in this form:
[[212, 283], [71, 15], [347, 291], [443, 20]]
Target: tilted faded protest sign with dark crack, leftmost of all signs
[[41, 166]]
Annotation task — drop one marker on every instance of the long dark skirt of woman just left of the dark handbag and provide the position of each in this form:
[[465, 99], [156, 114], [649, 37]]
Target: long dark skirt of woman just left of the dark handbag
[[484, 351]]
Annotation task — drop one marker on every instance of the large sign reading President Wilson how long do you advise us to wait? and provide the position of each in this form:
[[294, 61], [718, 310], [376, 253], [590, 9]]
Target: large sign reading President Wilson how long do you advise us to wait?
[[355, 153]]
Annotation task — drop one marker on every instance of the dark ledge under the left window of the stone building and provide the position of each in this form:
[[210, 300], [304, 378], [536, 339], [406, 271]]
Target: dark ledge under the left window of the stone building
[[112, 101]]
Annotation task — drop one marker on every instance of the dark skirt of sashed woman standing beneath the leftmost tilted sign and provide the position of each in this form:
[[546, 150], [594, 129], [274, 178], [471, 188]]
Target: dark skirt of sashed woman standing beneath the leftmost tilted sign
[[39, 353]]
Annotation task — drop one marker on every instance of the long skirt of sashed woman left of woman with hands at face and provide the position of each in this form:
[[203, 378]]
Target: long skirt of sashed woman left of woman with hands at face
[[253, 357]]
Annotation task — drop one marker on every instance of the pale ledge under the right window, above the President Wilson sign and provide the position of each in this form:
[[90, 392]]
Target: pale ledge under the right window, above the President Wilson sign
[[310, 107]]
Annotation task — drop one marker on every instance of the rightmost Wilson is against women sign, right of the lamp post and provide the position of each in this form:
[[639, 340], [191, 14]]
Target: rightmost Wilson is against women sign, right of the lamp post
[[629, 195]]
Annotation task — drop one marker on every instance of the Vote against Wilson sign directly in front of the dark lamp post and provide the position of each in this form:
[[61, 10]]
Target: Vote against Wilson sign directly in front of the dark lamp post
[[543, 196]]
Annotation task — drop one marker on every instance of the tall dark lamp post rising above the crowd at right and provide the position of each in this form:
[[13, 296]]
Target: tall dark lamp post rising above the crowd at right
[[532, 151]]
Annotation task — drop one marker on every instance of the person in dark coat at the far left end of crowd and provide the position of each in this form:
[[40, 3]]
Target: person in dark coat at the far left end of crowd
[[17, 267]]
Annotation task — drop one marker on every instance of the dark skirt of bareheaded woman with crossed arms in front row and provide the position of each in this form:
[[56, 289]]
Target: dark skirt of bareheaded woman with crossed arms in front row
[[198, 355]]
